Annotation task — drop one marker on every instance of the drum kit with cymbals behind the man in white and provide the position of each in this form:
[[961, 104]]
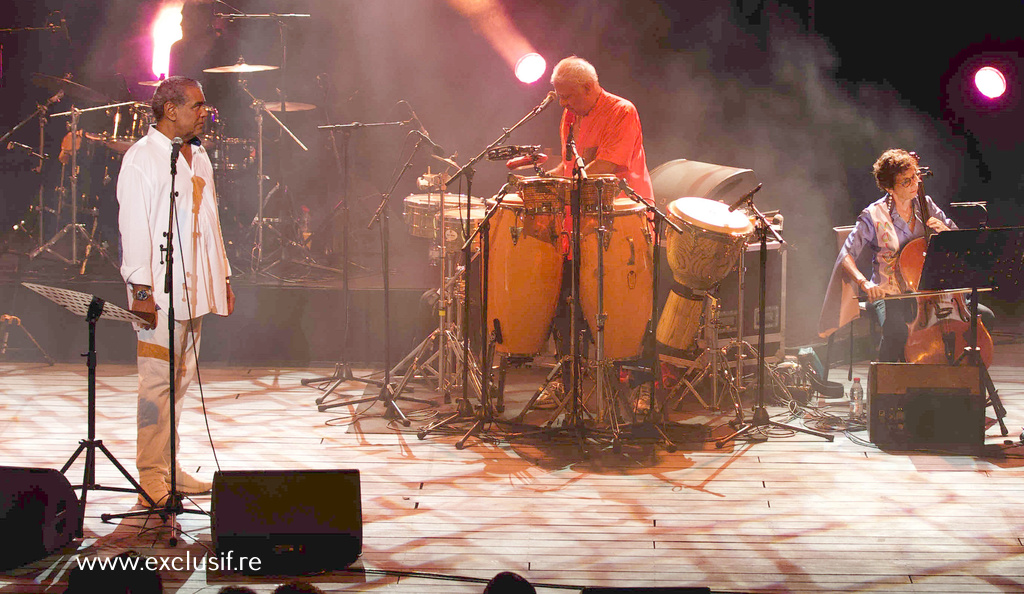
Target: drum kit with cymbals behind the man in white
[[99, 137]]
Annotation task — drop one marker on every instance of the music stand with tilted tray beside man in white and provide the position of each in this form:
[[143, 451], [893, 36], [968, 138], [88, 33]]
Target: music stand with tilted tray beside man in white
[[93, 309]]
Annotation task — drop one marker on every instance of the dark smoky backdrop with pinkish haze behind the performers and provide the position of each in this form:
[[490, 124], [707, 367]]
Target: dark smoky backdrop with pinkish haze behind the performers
[[805, 94]]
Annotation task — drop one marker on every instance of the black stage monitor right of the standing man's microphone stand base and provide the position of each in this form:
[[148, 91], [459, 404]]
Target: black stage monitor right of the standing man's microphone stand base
[[294, 522]]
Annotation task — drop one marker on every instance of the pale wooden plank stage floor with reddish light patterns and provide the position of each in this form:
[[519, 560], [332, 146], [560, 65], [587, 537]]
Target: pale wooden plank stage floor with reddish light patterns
[[794, 514]]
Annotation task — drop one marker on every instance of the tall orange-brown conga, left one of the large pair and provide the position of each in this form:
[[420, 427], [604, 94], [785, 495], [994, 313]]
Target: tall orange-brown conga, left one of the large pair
[[525, 274]]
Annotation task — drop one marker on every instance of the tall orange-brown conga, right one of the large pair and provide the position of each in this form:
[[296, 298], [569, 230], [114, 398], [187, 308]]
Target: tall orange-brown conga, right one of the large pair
[[628, 276]]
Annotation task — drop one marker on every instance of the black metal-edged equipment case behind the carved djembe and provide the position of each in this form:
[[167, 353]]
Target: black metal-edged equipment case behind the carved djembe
[[775, 301]]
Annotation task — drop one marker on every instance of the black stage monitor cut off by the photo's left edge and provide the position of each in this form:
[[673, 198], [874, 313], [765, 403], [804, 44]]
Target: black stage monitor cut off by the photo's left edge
[[39, 514]]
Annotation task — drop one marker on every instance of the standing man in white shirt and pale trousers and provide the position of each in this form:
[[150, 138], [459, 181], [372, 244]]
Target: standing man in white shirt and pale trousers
[[201, 273]]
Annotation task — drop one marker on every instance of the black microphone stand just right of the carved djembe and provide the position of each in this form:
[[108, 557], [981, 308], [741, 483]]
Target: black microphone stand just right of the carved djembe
[[760, 420]]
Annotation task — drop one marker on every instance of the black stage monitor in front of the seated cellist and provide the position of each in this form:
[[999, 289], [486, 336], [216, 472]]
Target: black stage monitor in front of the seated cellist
[[925, 407]]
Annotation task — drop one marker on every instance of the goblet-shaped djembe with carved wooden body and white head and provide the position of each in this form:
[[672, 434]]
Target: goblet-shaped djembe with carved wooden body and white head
[[707, 250]]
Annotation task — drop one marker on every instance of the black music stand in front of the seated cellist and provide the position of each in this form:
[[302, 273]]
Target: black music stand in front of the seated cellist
[[975, 260]]
